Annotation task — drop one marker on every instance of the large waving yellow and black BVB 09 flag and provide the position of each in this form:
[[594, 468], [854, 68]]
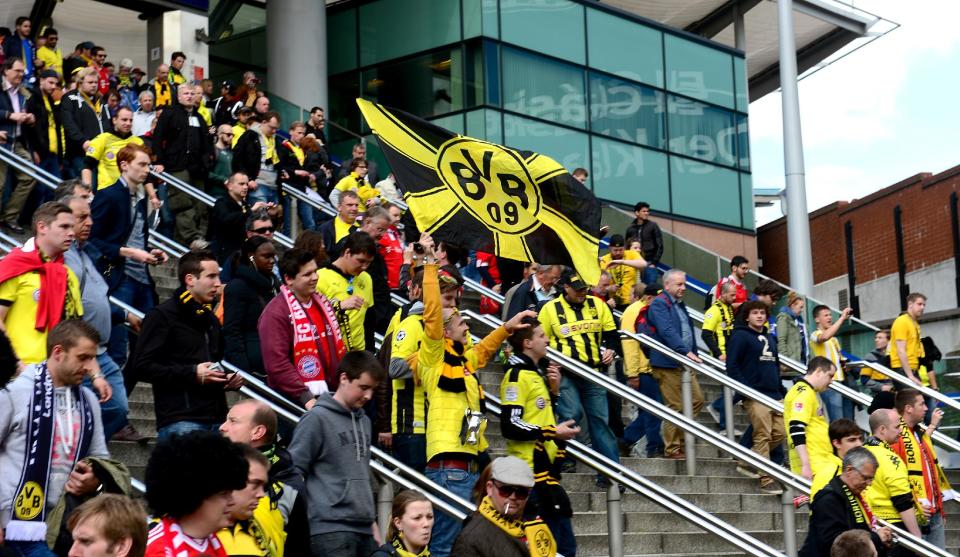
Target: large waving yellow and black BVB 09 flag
[[483, 196]]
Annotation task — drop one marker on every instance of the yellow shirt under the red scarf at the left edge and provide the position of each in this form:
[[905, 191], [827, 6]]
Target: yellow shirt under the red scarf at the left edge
[[22, 295]]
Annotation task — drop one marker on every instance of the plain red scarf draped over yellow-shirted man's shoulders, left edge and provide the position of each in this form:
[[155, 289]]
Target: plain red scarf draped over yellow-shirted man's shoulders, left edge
[[53, 283]]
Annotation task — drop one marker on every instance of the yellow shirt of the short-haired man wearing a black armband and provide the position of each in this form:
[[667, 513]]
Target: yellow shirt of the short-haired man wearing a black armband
[[803, 405]]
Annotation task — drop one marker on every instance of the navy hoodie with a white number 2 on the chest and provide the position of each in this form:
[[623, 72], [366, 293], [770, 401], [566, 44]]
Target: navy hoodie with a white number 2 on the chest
[[752, 359]]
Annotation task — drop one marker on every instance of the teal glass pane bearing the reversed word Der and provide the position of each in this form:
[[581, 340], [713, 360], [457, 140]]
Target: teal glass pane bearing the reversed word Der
[[701, 131]]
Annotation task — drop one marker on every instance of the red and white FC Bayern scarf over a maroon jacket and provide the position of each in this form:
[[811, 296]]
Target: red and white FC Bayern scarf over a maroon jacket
[[310, 338]]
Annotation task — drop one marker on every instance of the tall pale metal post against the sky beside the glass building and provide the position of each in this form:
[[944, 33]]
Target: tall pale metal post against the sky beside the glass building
[[798, 225]]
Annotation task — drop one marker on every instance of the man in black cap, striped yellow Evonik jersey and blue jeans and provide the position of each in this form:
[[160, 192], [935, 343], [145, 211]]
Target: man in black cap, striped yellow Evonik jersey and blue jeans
[[582, 327]]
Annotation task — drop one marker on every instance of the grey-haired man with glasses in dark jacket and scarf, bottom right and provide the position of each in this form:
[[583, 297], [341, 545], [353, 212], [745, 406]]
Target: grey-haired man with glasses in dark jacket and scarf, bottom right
[[841, 507]]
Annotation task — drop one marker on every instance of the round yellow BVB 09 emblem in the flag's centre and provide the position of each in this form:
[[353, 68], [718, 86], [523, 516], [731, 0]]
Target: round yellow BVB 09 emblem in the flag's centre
[[466, 167]]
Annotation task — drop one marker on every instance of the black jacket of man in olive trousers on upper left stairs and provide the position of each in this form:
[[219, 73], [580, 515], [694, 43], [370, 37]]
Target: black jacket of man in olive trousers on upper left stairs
[[180, 146]]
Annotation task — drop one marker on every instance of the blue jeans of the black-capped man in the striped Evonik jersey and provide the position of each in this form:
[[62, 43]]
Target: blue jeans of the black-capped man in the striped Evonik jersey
[[581, 399]]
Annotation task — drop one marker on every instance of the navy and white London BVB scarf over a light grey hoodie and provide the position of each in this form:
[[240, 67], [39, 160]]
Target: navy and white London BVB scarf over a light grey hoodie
[[29, 507]]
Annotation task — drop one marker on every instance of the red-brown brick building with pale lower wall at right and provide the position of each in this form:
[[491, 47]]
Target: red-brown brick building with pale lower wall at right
[[869, 253]]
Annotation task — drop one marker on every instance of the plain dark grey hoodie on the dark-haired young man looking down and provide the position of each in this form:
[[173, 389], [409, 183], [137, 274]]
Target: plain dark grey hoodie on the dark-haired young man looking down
[[331, 448]]
